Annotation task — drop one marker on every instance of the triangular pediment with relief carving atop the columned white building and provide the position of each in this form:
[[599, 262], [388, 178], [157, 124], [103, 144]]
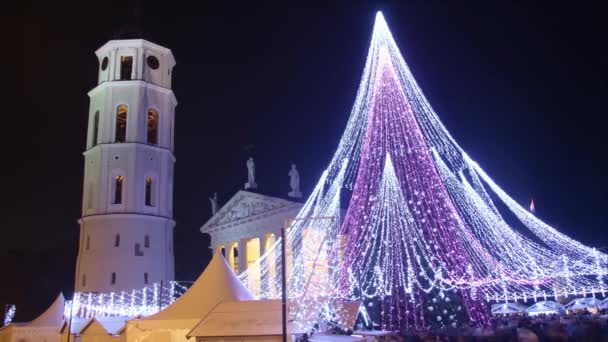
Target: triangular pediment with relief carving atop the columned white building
[[244, 205]]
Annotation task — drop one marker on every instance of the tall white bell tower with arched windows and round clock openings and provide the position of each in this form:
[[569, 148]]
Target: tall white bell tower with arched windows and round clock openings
[[126, 229]]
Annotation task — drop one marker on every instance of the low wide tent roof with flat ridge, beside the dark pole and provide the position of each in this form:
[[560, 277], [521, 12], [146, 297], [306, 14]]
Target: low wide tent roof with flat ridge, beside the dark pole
[[246, 318]]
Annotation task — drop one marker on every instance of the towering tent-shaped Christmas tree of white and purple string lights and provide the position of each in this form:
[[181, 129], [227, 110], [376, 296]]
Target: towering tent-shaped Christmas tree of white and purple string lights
[[422, 241]]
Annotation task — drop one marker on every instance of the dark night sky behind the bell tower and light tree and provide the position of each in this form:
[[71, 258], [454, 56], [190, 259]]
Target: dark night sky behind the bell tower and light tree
[[521, 87]]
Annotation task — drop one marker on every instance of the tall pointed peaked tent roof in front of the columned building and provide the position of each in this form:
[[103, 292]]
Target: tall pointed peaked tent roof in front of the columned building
[[217, 283]]
